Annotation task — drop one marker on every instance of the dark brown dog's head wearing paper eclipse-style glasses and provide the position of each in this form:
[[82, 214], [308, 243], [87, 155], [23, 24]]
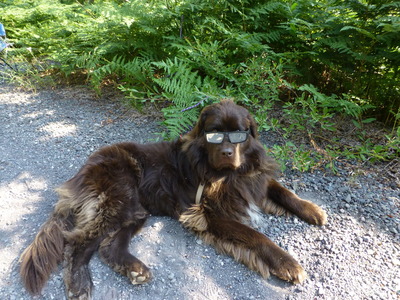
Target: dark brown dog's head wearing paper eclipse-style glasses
[[225, 136]]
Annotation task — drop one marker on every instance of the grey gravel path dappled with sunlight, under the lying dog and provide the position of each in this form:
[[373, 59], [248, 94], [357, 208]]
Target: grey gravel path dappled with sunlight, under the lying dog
[[46, 137]]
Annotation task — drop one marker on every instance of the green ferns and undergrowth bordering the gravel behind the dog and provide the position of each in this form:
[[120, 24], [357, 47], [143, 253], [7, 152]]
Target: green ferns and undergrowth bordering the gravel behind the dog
[[321, 60]]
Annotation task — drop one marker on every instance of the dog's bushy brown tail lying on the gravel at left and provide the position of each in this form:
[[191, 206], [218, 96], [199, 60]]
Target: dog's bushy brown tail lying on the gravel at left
[[41, 257]]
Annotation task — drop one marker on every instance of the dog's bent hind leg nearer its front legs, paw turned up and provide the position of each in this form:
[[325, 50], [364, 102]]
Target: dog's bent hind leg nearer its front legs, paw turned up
[[114, 251]]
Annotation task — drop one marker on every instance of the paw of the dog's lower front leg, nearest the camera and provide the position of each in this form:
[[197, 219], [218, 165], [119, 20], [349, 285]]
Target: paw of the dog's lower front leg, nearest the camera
[[289, 270]]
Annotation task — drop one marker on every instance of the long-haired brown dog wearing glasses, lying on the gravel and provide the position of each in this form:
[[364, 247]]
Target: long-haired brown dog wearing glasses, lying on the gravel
[[211, 180]]
